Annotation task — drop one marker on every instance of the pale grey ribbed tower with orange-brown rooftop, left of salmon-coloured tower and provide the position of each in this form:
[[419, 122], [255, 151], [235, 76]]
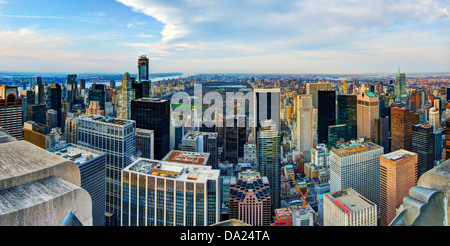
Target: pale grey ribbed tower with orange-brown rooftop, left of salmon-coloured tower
[[357, 167]]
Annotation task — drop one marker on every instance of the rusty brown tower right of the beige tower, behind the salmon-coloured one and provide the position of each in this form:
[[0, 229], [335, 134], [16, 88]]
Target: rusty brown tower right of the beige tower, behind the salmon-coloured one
[[402, 121]]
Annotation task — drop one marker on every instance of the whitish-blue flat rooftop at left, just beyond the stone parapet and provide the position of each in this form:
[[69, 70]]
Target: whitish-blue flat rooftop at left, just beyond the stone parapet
[[75, 153]]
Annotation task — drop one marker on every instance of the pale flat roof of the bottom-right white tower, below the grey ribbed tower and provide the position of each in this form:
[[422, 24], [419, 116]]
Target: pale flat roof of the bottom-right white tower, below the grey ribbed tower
[[349, 200]]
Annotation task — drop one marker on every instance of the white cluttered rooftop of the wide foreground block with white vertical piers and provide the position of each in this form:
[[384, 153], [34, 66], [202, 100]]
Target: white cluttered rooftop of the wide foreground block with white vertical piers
[[173, 170]]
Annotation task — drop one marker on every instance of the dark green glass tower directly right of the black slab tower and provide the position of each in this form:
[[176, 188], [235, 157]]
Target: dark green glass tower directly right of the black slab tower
[[347, 114]]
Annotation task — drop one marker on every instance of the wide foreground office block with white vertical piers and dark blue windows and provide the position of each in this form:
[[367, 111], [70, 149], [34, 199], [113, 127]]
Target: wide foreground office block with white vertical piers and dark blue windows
[[160, 193]]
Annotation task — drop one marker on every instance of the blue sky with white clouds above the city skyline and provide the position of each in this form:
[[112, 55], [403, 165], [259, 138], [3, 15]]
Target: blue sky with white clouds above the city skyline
[[226, 36]]
